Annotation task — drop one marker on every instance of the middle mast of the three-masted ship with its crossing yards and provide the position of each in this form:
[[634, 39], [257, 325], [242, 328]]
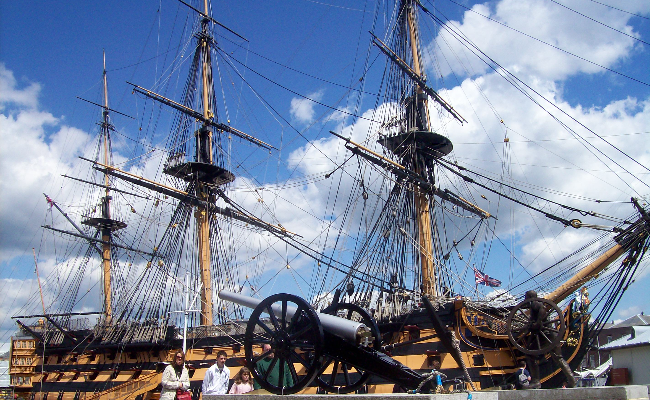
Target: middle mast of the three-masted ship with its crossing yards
[[204, 174]]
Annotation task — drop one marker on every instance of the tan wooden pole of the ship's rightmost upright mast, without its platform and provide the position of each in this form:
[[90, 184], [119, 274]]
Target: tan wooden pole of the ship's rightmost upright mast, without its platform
[[423, 213]]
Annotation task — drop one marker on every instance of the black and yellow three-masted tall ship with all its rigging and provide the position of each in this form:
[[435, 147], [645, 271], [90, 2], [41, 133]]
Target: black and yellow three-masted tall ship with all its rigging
[[443, 256]]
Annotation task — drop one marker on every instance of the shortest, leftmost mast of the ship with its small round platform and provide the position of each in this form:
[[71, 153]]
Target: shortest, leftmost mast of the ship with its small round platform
[[105, 223]]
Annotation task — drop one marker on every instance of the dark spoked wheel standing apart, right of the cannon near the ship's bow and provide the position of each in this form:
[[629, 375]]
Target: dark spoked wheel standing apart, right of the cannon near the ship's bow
[[536, 326]]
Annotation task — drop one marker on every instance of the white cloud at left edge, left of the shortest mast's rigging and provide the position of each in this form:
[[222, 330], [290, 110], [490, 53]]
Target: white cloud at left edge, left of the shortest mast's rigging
[[35, 150]]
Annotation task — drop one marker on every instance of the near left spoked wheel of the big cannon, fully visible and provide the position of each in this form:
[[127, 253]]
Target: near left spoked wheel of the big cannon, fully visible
[[291, 338]]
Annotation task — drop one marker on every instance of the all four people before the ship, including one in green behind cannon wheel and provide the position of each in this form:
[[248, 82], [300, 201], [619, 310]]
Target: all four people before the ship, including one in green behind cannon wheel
[[176, 381]]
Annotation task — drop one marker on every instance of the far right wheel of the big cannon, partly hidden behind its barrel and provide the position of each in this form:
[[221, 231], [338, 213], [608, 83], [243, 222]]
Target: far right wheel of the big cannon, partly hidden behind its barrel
[[352, 382]]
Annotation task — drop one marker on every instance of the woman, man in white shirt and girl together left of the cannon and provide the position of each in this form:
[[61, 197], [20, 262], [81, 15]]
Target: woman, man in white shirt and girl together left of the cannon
[[176, 380]]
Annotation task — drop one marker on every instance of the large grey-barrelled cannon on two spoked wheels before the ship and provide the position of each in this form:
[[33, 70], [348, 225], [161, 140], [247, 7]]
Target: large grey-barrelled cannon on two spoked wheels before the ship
[[299, 335]]
